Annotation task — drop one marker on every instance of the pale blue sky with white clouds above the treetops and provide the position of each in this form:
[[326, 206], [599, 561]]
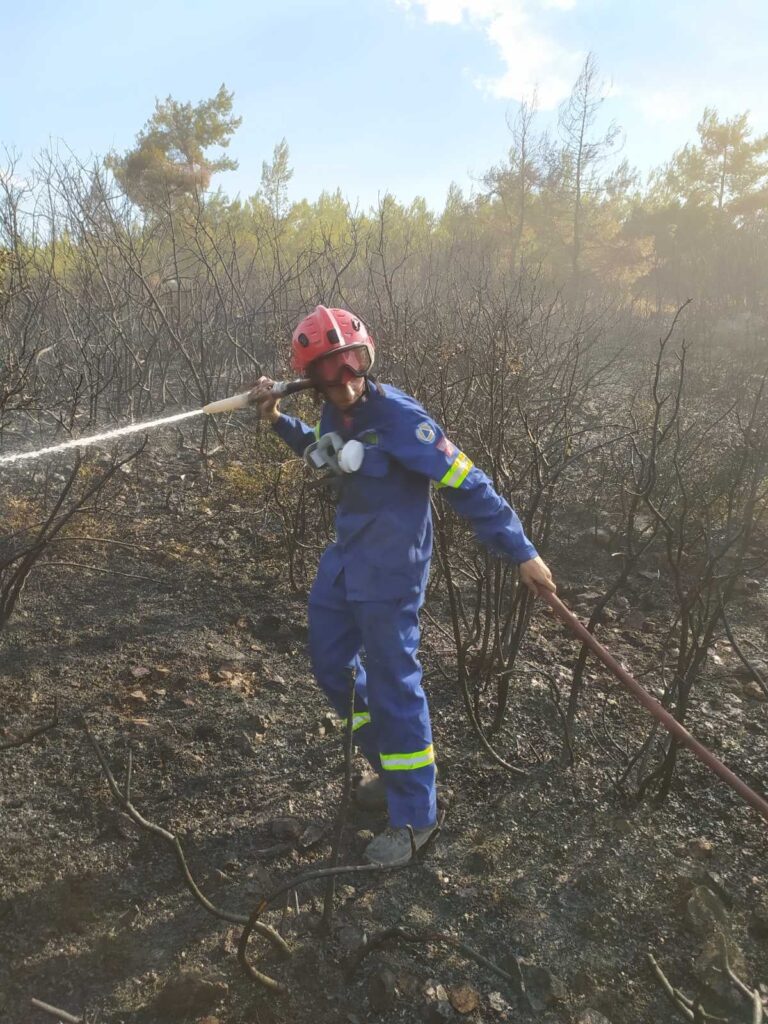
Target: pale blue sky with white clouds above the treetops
[[375, 96]]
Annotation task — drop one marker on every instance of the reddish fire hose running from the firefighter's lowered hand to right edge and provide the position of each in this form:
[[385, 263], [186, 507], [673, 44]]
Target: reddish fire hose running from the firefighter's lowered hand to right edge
[[655, 707]]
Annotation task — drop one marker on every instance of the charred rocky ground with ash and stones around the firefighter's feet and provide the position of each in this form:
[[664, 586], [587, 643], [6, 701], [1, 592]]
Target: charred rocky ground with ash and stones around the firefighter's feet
[[200, 667]]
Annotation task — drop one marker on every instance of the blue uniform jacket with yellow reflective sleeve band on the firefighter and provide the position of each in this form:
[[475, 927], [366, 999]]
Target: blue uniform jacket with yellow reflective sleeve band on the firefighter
[[383, 520]]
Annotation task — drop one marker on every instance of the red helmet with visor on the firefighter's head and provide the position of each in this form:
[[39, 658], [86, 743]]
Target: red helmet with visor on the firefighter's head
[[330, 342]]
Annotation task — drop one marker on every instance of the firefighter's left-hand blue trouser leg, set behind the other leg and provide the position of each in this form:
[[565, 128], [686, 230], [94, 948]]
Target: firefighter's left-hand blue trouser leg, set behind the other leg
[[334, 644]]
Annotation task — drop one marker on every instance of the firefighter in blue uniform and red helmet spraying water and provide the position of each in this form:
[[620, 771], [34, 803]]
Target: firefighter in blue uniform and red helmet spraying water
[[371, 581]]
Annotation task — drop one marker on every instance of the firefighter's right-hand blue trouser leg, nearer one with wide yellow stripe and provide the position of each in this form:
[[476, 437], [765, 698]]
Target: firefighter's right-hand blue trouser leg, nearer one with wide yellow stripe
[[399, 708]]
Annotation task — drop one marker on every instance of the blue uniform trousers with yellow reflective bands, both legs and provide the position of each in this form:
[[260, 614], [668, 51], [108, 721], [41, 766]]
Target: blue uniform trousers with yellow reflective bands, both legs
[[392, 716]]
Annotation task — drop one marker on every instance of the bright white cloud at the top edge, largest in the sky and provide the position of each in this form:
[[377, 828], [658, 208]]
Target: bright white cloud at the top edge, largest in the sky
[[533, 59]]
